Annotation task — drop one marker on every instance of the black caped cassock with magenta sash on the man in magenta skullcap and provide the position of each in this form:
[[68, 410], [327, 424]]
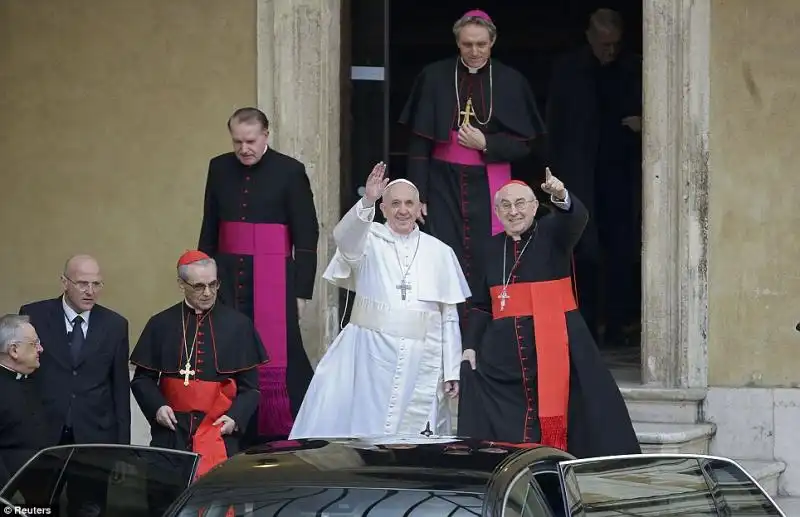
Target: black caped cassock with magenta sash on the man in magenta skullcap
[[459, 184]]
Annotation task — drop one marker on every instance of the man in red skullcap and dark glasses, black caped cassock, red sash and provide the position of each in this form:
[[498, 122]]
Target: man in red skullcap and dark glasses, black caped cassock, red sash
[[196, 377]]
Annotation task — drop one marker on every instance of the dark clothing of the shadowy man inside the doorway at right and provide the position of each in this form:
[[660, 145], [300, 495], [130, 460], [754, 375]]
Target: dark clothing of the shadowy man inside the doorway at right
[[590, 149]]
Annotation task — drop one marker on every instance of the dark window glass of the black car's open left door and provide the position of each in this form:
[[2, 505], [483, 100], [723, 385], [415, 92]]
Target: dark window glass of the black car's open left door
[[128, 481]]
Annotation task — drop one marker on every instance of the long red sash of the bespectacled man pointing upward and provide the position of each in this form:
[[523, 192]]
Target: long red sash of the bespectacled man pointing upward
[[547, 302]]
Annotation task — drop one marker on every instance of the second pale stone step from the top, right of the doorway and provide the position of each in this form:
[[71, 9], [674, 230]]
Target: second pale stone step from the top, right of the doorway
[[665, 438]]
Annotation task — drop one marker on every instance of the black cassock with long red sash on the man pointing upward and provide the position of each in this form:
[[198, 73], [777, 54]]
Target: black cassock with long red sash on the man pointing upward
[[539, 335]]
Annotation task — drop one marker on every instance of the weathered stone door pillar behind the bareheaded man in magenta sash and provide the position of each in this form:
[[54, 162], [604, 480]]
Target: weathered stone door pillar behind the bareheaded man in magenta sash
[[299, 88]]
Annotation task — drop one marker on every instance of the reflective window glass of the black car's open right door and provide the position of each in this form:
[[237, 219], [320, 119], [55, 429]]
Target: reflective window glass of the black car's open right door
[[665, 486]]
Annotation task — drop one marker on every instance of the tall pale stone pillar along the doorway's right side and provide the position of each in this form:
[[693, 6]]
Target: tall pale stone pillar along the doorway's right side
[[675, 204]]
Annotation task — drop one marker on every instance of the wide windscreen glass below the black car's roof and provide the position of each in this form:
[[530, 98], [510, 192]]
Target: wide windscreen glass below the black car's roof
[[342, 502]]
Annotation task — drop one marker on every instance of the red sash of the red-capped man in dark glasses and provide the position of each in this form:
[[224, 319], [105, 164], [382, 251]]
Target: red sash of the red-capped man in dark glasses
[[212, 398]]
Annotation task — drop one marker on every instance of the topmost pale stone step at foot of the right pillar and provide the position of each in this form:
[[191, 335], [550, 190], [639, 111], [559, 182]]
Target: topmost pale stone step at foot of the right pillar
[[671, 406]]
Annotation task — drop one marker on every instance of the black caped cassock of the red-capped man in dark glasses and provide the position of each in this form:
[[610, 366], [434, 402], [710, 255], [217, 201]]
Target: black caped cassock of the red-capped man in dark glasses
[[226, 346]]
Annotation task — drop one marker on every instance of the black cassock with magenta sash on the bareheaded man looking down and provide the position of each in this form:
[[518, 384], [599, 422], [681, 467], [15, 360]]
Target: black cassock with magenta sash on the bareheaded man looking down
[[260, 224]]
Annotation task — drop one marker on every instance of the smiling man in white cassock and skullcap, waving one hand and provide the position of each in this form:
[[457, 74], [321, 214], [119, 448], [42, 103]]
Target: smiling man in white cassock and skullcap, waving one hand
[[393, 367]]
